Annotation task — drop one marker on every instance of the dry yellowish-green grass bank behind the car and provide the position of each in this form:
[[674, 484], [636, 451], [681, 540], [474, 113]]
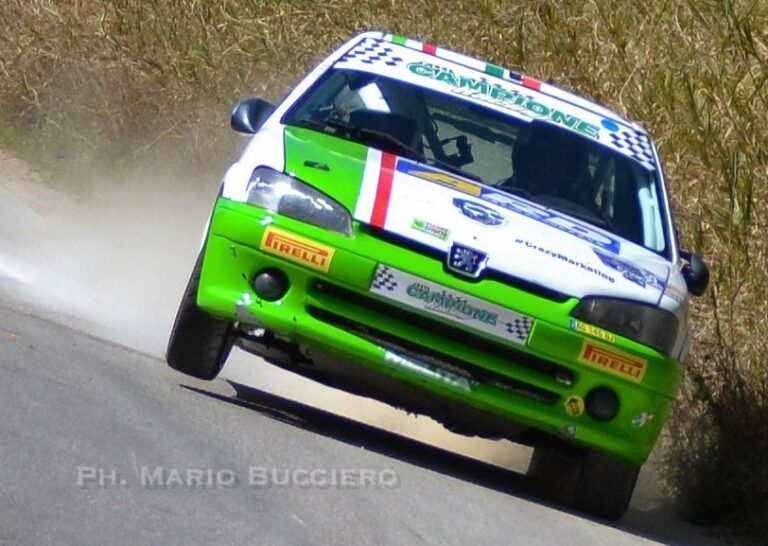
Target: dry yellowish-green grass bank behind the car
[[115, 83]]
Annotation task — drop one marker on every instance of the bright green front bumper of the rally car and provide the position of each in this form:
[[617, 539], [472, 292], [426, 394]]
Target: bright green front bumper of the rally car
[[329, 306]]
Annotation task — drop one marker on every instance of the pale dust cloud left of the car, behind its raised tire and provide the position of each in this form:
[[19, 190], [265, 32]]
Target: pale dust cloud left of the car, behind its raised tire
[[109, 257]]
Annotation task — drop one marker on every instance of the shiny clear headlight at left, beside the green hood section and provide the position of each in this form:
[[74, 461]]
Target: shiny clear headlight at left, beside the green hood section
[[286, 195]]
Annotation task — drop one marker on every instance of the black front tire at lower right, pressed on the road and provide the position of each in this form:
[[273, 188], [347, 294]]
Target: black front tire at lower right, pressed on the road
[[604, 486]]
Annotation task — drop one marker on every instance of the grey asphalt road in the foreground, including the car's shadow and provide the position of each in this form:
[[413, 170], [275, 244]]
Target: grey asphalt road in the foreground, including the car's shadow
[[103, 444]]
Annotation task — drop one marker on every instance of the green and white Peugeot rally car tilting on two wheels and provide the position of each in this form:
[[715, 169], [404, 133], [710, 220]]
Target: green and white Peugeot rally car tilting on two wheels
[[461, 241]]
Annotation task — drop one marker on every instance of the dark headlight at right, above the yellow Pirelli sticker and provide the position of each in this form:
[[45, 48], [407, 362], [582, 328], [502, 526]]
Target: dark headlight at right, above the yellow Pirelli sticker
[[646, 324]]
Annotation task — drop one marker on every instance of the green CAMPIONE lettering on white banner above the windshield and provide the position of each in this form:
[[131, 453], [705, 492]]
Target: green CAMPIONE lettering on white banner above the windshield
[[509, 99]]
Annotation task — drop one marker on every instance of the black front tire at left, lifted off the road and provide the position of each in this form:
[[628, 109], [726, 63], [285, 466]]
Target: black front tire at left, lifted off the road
[[199, 344]]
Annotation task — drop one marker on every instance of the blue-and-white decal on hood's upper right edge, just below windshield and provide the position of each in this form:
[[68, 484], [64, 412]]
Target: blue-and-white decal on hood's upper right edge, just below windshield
[[551, 218]]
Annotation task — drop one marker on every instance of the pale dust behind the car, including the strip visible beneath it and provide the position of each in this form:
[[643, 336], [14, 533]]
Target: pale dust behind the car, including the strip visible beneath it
[[112, 258]]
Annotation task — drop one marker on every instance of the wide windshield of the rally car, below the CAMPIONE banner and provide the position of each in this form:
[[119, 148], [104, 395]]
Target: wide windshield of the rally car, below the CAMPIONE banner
[[536, 160]]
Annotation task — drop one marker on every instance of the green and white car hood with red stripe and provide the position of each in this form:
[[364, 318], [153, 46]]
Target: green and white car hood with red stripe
[[439, 209]]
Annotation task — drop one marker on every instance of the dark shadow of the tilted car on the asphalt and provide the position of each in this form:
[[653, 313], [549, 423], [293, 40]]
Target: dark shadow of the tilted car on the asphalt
[[653, 524]]
